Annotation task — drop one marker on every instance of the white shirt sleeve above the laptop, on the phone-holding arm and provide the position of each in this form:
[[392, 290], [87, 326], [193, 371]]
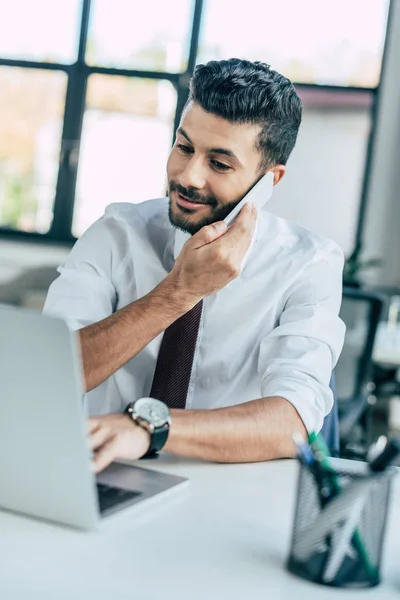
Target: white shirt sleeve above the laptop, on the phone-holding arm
[[86, 290]]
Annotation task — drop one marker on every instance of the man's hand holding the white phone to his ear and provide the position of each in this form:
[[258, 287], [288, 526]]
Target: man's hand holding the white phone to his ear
[[213, 256]]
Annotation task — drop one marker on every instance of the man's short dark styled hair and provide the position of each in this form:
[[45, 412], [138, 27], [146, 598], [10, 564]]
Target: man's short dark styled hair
[[241, 91]]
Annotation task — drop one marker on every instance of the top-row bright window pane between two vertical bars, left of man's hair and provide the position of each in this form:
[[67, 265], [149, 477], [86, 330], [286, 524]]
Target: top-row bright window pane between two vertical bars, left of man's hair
[[152, 35]]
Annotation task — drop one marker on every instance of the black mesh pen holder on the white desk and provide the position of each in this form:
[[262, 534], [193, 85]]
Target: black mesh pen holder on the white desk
[[339, 527]]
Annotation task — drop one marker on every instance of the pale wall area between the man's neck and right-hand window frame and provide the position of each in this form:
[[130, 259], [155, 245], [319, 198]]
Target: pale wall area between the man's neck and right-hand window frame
[[322, 187]]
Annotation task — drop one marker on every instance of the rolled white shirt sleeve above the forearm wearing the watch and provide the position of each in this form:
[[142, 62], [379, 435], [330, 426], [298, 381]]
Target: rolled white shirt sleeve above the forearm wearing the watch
[[298, 356]]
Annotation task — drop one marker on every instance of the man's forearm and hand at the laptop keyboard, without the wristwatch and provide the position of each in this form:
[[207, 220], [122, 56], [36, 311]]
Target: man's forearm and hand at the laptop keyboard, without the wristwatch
[[249, 432]]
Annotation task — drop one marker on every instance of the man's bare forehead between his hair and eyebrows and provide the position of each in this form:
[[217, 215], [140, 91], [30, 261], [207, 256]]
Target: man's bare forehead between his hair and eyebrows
[[211, 131]]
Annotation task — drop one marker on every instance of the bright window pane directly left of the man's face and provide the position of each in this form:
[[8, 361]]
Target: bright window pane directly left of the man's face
[[126, 139]]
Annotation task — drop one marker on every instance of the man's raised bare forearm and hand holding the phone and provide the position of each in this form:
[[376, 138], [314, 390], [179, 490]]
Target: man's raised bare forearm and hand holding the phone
[[208, 261]]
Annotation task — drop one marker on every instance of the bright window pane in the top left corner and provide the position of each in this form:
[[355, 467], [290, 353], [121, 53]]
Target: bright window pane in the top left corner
[[42, 30]]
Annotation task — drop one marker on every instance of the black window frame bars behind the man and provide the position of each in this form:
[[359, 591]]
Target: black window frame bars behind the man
[[78, 74]]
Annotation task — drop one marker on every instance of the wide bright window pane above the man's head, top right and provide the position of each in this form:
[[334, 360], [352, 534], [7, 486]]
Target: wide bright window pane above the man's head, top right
[[334, 42]]
